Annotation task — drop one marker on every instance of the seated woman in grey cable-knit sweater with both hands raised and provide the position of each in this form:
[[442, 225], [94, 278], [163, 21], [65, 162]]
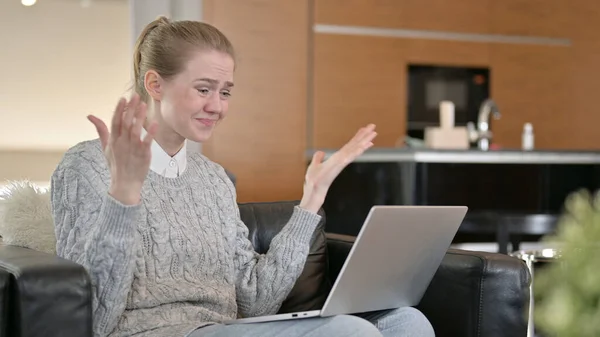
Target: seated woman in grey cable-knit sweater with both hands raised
[[158, 229]]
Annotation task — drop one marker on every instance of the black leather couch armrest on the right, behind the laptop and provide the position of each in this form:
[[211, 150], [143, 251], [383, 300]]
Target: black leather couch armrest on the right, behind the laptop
[[473, 294]]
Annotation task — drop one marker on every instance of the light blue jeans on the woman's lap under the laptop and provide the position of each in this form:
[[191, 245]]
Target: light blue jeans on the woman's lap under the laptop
[[403, 322]]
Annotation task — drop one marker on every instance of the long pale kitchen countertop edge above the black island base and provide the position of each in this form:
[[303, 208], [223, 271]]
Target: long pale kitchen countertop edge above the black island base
[[473, 156]]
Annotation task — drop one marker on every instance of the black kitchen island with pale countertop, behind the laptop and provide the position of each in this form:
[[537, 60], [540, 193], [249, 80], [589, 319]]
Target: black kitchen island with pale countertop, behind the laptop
[[513, 196]]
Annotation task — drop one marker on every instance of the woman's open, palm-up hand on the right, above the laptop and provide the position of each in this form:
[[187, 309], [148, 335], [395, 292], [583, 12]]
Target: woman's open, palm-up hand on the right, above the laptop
[[320, 174]]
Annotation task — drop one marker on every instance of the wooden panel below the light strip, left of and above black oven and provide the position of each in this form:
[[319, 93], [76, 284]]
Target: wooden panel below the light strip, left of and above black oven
[[362, 79]]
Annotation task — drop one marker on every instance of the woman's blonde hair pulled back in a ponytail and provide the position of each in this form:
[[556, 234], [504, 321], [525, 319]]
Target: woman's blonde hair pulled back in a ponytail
[[165, 46]]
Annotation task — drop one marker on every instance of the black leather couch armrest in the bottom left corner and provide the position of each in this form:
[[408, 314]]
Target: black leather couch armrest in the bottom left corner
[[48, 296]]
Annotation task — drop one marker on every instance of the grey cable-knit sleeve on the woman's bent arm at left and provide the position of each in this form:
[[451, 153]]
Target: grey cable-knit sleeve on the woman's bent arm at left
[[96, 231]]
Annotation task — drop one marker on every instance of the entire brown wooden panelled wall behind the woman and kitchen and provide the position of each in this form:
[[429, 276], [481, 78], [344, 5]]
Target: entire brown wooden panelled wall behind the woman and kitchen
[[355, 80]]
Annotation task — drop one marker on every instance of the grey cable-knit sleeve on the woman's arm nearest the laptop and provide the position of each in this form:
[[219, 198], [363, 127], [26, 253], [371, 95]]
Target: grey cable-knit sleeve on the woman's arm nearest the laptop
[[265, 280]]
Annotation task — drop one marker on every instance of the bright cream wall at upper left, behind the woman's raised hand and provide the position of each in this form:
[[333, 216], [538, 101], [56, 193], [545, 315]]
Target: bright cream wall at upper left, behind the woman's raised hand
[[60, 62]]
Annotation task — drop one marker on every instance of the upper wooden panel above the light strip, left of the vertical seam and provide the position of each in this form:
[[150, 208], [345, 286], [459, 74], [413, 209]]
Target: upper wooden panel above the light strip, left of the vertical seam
[[470, 16]]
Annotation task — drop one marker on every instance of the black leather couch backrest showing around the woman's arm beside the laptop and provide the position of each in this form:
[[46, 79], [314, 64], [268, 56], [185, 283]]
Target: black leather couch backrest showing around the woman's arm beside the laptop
[[264, 221]]
